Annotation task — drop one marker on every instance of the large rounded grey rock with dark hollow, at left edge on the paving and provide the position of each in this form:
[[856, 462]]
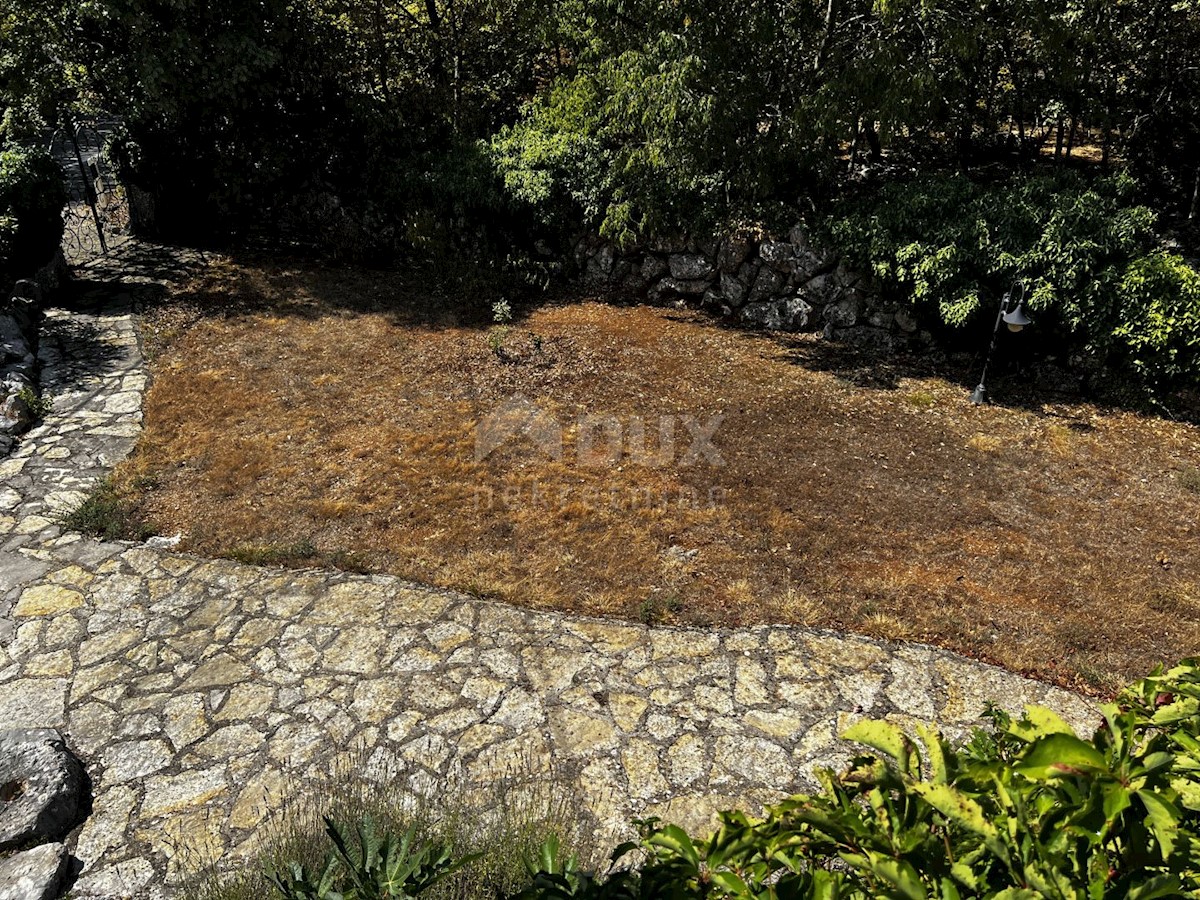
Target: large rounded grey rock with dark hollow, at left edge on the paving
[[40, 787]]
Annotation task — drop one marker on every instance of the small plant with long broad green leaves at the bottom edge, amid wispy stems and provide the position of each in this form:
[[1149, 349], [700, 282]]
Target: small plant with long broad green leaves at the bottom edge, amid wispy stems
[[367, 866]]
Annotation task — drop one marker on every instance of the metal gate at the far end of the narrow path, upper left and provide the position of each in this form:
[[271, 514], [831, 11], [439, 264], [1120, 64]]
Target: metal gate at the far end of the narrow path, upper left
[[98, 214]]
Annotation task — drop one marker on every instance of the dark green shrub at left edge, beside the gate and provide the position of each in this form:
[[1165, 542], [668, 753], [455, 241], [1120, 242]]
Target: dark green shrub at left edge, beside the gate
[[32, 200]]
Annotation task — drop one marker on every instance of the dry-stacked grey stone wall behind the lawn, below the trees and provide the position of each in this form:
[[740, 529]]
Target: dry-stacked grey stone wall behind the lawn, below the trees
[[790, 285]]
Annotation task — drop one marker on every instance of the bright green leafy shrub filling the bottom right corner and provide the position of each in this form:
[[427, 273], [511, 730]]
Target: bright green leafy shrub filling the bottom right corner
[[1024, 811]]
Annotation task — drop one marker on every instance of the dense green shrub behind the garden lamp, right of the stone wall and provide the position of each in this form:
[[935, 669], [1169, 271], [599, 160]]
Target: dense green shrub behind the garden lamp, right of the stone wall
[[1087, 251]]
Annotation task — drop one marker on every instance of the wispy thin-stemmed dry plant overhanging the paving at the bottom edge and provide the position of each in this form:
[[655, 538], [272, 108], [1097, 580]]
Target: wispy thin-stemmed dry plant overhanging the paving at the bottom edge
[[495, 827]]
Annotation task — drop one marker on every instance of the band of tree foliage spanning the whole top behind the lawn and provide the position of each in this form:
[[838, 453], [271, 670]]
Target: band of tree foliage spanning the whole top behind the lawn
[[375, 128]]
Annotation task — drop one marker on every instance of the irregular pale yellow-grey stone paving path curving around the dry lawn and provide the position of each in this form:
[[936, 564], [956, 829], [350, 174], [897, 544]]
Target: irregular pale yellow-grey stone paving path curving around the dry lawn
[[195, 691]]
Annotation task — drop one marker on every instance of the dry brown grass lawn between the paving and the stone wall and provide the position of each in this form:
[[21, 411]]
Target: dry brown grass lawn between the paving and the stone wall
[[337, 411]]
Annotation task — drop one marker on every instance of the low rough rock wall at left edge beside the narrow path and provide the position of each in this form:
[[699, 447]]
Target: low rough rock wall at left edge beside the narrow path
[[20, 320]]
